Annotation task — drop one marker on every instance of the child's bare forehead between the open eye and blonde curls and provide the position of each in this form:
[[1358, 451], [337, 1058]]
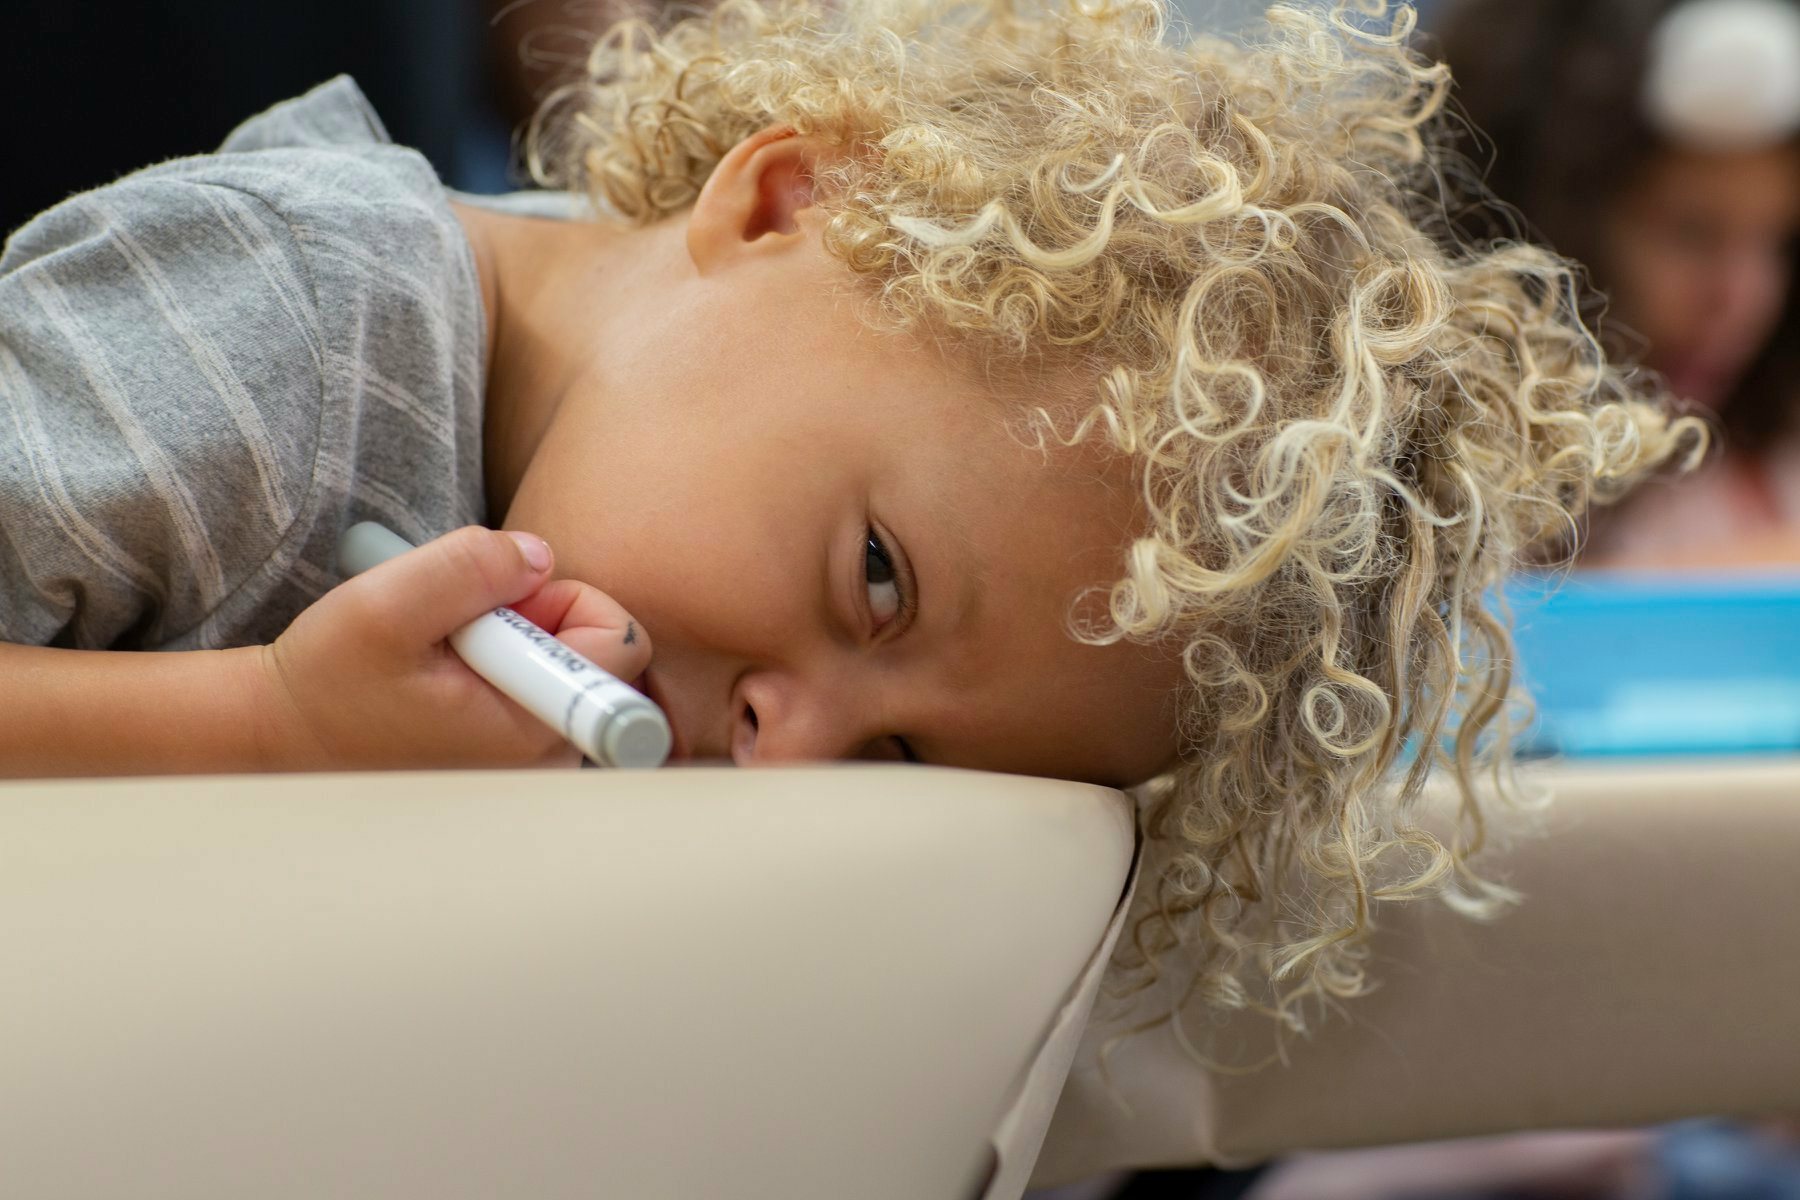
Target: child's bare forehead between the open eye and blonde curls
[[1021, 541]]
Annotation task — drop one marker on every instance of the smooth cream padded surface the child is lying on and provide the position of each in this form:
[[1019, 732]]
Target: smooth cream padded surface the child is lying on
[[688, 983]]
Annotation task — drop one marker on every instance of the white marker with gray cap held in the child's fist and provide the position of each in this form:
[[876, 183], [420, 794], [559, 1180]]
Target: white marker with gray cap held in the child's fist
[[606, 719]]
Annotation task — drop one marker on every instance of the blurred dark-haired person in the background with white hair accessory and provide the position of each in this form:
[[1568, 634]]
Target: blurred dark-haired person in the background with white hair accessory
[[1657, 143]]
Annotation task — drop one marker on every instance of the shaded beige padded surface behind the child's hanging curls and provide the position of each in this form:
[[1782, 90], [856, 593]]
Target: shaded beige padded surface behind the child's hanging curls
[[1653, 972]]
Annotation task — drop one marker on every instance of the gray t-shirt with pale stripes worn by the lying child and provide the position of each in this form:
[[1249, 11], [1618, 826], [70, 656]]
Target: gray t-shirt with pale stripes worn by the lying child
[[215, 366]]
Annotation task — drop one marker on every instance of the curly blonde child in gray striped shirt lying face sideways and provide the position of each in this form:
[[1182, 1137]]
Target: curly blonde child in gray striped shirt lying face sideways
[[989, 384]]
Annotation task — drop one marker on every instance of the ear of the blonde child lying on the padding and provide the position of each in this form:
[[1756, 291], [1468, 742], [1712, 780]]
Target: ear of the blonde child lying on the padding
[[753, 201]]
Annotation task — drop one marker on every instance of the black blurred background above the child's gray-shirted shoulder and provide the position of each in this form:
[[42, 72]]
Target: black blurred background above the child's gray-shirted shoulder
[[94, 89]]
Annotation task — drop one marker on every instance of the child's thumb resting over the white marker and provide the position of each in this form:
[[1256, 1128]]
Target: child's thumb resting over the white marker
[[445, 584]]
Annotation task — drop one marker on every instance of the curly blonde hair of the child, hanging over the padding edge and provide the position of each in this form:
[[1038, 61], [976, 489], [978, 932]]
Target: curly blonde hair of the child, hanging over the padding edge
[[1349, 425]]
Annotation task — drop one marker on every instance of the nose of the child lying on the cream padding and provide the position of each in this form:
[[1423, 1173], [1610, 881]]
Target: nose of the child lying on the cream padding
[[787, 719]]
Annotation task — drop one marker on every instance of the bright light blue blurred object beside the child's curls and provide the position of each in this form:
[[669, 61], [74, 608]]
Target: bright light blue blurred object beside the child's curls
[[1644, 665]]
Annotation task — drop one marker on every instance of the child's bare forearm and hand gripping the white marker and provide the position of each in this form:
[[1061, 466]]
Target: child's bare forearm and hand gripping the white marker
[[363, 679]]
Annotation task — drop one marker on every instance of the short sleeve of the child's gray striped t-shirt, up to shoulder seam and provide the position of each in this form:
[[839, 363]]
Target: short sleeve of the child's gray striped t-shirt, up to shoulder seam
[[161, 375]]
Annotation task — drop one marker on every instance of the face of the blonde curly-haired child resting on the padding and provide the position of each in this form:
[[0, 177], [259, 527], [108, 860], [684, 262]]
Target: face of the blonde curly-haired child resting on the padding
[[753, 440]]
